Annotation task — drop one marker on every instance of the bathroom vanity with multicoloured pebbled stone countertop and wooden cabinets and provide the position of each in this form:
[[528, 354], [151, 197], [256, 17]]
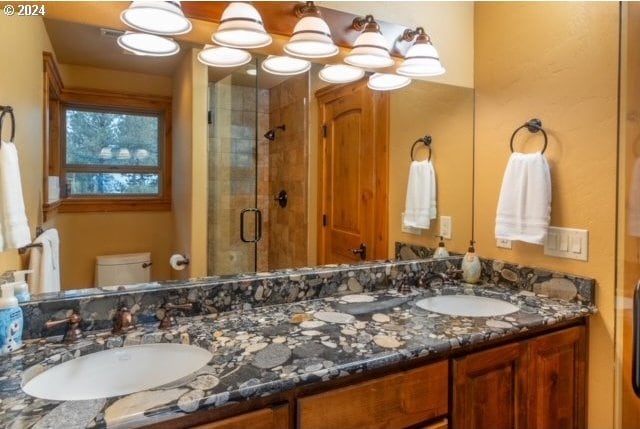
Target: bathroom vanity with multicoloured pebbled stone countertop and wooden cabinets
[[352, 351]]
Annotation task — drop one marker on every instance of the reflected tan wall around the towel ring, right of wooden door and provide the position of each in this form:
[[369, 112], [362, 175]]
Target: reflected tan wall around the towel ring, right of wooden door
[[446, 113]]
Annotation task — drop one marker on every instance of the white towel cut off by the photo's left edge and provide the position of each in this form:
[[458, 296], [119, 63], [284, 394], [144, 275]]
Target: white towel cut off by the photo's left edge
[[14, 227]]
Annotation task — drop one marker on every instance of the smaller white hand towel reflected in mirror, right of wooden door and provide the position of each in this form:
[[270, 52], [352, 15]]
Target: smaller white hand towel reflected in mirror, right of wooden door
[[420, 203]]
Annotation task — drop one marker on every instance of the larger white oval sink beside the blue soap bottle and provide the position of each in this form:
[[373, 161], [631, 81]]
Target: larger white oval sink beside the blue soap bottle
[[117, 372]]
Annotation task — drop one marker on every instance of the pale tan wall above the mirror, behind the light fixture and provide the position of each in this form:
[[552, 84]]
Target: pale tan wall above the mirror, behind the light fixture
[[450, 25]]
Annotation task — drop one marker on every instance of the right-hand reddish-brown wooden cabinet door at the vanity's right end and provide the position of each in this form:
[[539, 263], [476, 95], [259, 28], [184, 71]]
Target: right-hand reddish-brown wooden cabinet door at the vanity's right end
[[556, 380]]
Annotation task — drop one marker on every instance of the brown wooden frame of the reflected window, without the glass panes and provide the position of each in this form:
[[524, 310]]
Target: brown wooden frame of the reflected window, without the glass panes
[[93, 100]]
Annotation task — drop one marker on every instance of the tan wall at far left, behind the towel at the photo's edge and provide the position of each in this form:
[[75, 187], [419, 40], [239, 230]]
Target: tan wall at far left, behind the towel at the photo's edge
[[21, 87]]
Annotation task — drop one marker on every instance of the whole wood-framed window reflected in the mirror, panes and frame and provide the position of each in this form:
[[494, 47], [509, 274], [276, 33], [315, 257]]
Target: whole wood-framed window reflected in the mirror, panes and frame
[[114, 152]]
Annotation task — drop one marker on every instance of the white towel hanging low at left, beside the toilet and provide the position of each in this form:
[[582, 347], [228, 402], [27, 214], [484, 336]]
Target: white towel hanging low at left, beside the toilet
[[45, 263]]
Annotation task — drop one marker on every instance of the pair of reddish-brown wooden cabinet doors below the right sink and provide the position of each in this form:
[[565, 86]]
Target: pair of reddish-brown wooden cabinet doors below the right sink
[[534, 384]]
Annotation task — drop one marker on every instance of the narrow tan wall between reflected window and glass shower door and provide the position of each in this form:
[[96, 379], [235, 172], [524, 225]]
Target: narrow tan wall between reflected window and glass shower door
[[189, 187]]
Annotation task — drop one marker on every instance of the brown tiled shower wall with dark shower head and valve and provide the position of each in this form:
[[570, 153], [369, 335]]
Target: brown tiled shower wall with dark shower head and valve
[[288, 166]]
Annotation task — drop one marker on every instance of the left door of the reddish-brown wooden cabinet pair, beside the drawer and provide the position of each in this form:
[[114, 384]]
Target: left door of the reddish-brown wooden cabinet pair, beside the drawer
[[490, 389]]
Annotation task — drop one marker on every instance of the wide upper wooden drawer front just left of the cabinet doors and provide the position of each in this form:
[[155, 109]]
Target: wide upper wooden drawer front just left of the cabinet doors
[[398, 400]]
